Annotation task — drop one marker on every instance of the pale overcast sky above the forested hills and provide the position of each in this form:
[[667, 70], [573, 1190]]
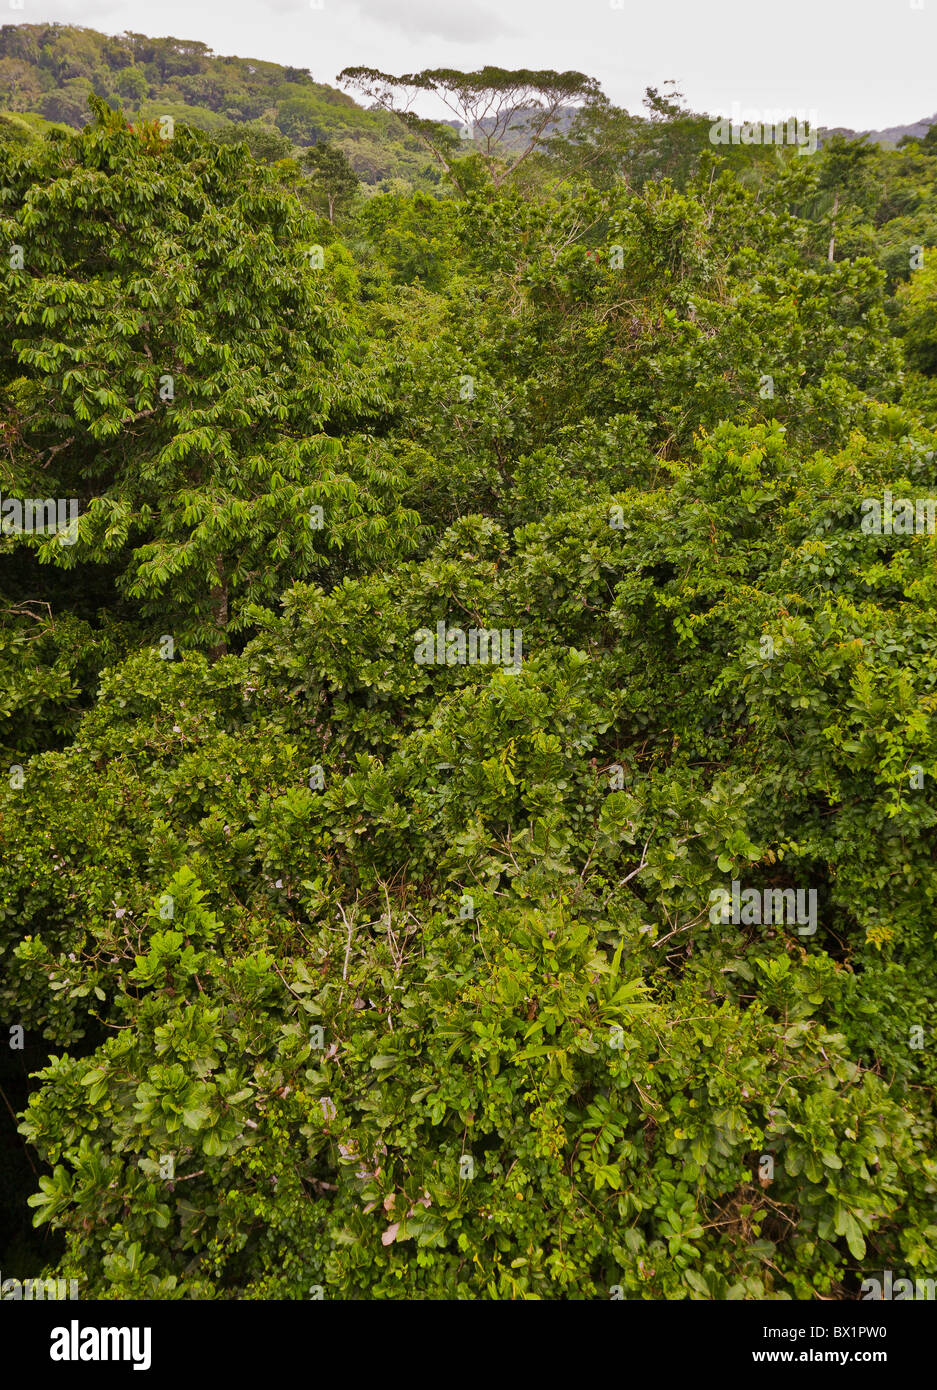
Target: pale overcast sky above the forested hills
[[858, 63]]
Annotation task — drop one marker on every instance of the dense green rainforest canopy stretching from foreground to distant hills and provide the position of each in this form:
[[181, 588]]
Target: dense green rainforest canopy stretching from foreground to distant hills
[[469, 626]]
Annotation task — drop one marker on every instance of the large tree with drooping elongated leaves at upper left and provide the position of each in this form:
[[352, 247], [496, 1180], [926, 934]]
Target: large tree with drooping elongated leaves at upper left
[[195, 365]]
